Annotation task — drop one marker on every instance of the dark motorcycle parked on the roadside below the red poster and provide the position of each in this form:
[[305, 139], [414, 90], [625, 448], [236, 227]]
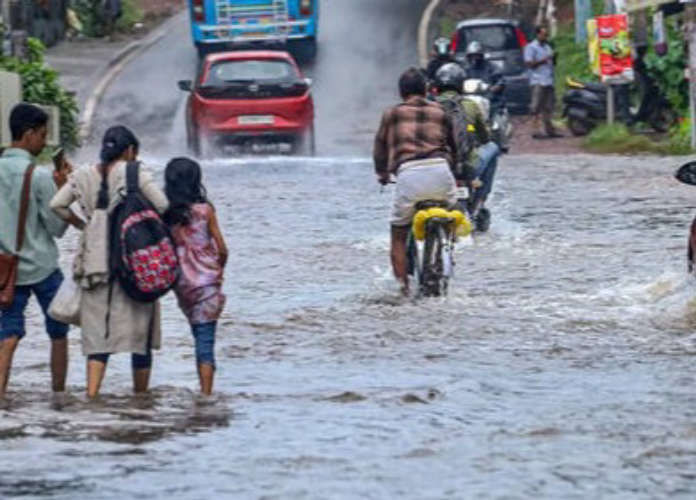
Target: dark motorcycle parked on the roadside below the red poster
[[585, 106]]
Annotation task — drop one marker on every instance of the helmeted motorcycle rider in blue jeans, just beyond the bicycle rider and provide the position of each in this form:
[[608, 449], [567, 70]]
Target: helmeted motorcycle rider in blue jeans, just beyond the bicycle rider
[[483, 155]]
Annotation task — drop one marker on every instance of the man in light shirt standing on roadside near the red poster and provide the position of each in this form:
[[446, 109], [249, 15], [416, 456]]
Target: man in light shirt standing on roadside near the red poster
[[540, 59]]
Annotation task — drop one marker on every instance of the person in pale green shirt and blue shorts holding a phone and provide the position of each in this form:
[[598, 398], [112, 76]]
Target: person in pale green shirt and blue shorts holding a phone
[[38, 272]]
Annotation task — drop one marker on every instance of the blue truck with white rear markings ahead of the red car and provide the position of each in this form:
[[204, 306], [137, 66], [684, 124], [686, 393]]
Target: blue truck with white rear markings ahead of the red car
[[218, 25]]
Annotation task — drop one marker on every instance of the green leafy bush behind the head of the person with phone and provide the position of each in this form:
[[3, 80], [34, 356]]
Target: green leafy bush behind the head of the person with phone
[[40, 86]]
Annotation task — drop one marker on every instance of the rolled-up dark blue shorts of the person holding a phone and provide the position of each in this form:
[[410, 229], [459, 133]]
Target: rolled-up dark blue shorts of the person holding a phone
[[12, 319]]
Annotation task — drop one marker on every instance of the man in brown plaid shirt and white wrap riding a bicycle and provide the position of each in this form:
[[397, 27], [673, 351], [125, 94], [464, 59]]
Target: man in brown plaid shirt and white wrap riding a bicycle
[[415, 143]]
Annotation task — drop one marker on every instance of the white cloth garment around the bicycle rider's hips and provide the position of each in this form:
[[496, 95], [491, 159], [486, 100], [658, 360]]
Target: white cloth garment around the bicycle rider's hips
[[421, 180]]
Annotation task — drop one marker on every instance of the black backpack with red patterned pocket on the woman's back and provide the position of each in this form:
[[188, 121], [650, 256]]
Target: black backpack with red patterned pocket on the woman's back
[[142, 254]]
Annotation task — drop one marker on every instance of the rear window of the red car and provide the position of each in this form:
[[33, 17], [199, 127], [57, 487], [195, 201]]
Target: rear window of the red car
[[249, 71]]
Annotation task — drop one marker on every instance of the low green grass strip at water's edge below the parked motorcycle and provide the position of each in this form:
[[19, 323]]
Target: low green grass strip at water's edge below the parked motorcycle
[[619, 139]]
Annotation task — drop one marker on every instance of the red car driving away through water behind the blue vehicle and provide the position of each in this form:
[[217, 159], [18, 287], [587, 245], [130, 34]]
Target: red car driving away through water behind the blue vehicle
[[249, 100]]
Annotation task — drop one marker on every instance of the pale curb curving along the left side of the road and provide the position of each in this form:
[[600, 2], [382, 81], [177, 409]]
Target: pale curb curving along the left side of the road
[[115, 67]]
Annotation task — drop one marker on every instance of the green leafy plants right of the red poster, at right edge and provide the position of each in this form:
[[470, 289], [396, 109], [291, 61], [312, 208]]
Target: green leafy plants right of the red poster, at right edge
[[668, 72]]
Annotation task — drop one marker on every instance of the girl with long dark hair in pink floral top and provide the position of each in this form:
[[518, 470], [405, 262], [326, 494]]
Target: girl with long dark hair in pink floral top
[[202, 256]]
